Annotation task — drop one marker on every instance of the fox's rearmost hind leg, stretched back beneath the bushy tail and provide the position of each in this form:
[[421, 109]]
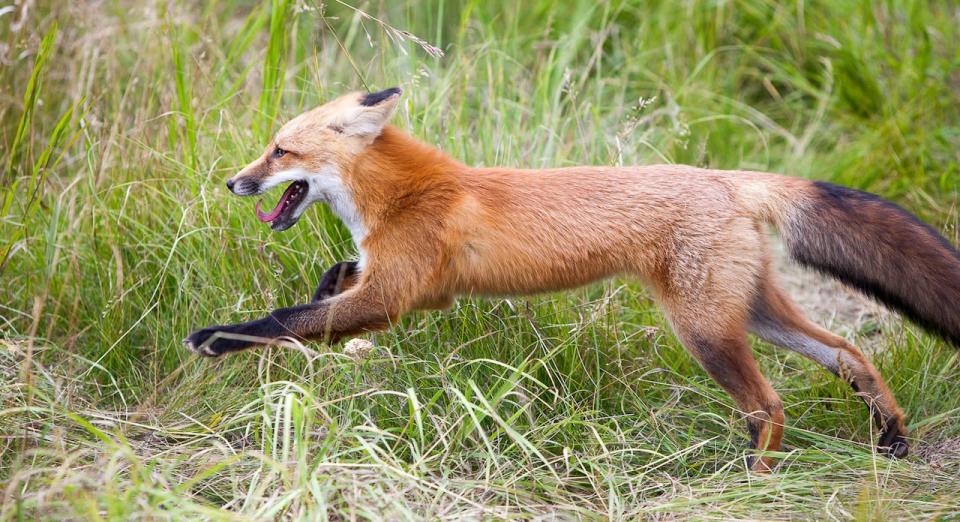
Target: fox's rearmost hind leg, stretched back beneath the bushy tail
[[776, 319]]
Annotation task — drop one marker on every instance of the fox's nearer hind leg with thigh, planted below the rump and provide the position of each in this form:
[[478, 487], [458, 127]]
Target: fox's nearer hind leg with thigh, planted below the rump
[[706, 294]]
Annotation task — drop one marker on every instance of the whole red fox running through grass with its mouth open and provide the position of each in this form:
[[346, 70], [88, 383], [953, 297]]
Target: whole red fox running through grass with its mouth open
[[429, 229]]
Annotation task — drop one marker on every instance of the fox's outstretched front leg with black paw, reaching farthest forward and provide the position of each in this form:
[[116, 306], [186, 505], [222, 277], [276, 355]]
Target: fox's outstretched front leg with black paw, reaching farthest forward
[[355, 311]]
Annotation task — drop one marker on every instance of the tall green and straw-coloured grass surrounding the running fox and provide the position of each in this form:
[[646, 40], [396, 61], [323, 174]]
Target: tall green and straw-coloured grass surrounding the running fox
[[120, 121]]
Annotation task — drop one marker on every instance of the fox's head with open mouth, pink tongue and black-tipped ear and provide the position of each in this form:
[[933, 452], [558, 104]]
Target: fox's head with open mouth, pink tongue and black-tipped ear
[[311, 152]]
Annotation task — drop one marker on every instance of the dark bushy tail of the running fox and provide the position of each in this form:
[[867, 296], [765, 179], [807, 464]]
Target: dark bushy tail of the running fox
[[880, 249]]
